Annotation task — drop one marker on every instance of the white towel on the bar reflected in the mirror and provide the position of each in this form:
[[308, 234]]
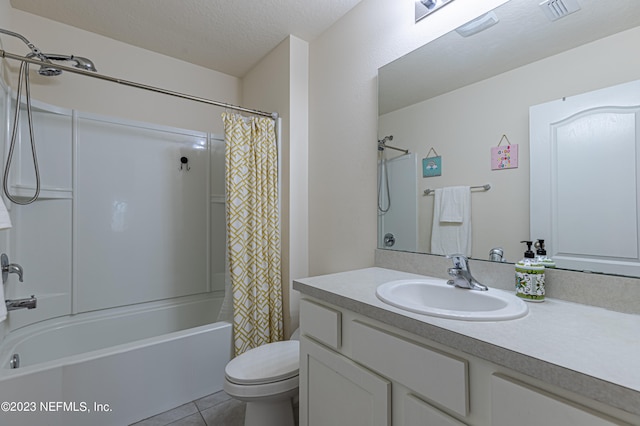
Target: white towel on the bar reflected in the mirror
[[452, 236]]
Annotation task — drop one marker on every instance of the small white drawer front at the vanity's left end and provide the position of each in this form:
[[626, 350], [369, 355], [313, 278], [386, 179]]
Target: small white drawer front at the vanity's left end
[[321, 323]]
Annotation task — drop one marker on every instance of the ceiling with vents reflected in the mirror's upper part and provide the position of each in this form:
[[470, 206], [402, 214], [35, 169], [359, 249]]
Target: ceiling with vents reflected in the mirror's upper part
[[523, 35]]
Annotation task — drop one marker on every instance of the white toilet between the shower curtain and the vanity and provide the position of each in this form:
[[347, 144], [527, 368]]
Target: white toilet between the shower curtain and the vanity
[[266, 378]]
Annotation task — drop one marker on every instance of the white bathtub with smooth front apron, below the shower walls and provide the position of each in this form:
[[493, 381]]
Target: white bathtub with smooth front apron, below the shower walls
[[115, 367]]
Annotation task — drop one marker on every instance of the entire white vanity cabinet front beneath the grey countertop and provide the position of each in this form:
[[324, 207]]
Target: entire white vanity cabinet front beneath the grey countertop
[[357, 371]]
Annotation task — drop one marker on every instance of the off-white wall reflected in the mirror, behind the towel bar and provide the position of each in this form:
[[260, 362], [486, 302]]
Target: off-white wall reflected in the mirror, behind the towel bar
[[489, 109]]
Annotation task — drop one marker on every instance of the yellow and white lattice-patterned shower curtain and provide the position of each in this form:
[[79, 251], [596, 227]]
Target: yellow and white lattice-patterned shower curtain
[[253, 230]]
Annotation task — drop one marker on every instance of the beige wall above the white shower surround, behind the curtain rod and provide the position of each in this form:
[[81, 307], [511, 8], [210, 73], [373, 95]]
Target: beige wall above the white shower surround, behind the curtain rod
[[123, 61]]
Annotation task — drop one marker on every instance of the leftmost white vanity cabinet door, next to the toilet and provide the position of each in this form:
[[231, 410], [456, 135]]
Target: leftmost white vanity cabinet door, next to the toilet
[[336, 391]]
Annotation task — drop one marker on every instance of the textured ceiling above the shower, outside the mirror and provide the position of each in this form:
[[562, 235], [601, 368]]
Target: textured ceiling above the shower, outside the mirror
[[229, 36]]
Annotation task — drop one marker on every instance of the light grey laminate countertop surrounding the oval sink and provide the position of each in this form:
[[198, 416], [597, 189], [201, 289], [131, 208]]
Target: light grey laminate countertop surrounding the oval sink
[[591, 351]]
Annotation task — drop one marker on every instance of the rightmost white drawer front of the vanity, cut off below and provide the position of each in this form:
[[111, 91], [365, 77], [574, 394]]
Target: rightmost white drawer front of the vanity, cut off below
[[513, 402]]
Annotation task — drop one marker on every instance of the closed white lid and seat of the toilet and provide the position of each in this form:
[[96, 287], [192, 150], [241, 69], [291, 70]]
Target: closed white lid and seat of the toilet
[[270, 363]]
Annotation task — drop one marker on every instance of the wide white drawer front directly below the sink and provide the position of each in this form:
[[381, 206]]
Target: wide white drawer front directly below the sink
[[436, 376]]
